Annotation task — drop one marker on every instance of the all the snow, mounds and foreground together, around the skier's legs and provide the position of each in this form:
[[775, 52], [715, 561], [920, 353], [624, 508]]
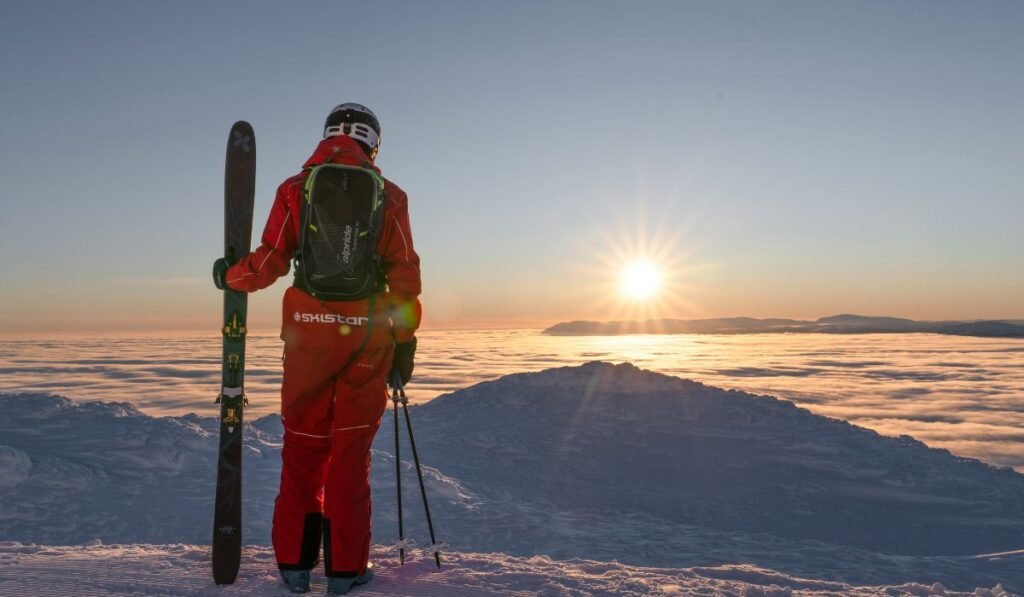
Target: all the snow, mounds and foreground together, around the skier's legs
[[594, 466]]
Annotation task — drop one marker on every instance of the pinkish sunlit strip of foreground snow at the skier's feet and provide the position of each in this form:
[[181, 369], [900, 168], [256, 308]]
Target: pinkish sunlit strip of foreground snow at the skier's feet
[[184, 570]]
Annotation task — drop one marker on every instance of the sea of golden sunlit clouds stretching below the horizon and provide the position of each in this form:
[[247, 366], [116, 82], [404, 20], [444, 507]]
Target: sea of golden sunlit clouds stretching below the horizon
[[965, 395]]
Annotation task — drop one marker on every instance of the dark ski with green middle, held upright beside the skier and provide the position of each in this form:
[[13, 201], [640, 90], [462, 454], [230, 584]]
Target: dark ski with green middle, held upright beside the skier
[[240, 184]]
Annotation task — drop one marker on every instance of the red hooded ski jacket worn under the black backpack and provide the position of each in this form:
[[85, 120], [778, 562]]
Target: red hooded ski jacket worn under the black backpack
[[273, 259]]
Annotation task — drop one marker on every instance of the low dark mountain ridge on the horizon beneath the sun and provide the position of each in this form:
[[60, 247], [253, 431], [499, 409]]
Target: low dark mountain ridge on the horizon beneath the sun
[[845, 324]]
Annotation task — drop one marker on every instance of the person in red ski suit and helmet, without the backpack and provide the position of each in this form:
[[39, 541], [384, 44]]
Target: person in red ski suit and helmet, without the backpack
[[334, 392]]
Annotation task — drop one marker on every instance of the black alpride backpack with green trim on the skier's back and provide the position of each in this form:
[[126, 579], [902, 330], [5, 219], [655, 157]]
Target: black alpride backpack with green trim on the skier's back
[[342, 221]]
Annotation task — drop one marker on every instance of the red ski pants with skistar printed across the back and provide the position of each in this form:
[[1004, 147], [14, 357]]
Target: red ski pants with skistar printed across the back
[[332, 401]]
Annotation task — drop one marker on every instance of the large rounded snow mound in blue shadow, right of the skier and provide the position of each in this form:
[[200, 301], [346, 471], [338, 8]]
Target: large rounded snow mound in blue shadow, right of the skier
[[616, 439]]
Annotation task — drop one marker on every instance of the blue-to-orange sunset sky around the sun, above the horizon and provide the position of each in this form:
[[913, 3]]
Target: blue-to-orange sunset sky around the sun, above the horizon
[[784, 159]]
